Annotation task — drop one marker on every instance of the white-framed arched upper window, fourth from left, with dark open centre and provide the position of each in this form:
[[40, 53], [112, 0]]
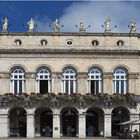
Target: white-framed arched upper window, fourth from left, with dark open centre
[[94, 80]]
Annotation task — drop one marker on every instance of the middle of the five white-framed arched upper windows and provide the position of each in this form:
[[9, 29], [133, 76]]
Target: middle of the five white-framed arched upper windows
[[69, 80]]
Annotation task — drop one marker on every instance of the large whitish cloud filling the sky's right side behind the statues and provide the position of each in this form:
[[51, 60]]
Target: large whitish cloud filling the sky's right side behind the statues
[[94, 14]]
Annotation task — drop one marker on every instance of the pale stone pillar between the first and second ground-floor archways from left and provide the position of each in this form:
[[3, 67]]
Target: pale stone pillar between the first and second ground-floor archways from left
[[30, 126]]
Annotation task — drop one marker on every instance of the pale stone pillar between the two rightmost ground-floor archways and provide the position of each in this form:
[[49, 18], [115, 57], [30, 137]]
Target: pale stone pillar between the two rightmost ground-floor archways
[[107, 125]]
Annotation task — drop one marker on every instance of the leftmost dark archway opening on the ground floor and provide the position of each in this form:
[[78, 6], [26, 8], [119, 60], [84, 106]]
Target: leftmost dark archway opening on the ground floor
[[17, 117]]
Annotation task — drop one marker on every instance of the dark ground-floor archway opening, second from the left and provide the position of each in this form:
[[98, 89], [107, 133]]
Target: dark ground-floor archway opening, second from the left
[[44, 122]]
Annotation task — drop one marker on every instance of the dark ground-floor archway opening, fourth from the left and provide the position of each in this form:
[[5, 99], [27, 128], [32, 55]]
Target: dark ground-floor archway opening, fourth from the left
[[94, 122]]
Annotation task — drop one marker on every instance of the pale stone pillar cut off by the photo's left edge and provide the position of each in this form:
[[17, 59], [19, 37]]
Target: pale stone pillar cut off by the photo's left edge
[[4, 126]]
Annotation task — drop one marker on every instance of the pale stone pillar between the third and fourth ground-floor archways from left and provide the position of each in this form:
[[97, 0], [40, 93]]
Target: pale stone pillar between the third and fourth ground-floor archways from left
[[82, 126]]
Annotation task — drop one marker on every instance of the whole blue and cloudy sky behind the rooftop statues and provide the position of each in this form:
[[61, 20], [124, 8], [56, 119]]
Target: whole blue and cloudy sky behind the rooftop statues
[[93, 13]]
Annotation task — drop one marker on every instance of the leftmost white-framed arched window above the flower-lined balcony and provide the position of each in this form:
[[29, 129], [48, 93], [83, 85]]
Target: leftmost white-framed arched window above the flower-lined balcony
[[17, 78]]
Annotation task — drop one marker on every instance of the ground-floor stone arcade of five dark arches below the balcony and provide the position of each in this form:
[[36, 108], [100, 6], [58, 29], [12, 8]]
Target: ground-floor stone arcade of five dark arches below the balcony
[[69, 121]]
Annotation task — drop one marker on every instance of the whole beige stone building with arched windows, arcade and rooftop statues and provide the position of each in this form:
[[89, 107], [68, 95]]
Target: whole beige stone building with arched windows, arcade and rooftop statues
[[57, 84]]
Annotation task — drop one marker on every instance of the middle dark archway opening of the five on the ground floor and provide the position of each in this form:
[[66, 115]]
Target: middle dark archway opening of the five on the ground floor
[[69, 119]]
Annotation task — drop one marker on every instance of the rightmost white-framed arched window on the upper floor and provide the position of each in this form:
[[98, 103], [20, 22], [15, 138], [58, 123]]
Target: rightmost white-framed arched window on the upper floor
[[120, 84]]
